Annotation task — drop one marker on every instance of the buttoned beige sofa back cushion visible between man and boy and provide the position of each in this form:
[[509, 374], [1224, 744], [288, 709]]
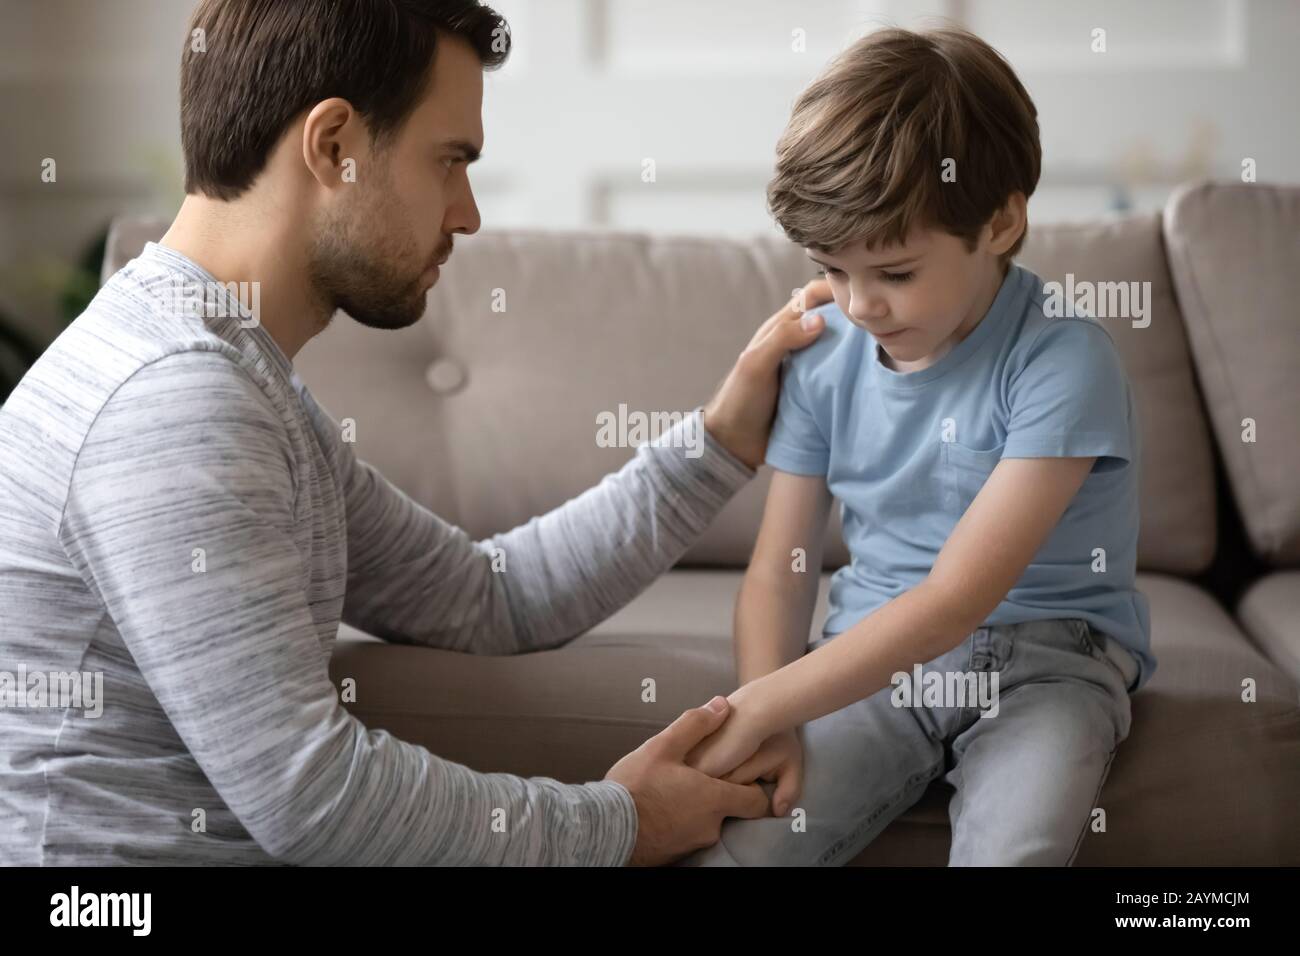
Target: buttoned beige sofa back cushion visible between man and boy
[[504, 427]]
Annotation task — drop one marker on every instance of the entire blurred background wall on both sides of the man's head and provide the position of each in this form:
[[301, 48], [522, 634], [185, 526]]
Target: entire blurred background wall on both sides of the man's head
[[1186, 89]]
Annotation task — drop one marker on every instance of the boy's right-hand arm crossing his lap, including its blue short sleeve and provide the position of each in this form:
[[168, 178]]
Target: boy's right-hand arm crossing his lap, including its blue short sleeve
[[1071, 404]]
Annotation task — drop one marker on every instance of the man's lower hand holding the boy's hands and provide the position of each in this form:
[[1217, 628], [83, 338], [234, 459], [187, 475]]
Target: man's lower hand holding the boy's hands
[[681, 810]]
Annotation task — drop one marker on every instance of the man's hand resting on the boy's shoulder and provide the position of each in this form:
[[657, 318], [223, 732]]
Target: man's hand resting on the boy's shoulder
[[740, 413]]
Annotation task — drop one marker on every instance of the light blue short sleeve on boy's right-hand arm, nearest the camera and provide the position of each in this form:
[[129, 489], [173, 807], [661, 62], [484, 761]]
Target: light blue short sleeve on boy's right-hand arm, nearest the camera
[[1071, 397]]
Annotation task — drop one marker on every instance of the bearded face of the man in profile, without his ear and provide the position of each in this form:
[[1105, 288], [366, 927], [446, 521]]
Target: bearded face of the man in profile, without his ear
[[376, 248]]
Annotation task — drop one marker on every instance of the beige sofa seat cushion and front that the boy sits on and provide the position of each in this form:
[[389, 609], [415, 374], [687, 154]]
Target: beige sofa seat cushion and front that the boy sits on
[[1203, 778]]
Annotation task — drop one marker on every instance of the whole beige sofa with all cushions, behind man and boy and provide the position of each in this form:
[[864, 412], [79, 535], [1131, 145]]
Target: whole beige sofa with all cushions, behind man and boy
[[489, 418]]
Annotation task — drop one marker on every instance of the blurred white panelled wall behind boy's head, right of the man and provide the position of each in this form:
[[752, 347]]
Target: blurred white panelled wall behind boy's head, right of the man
[[1186, 89]]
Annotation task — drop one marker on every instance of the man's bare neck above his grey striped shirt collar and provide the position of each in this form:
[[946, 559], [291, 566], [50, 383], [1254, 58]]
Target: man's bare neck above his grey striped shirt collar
[[237, 245]]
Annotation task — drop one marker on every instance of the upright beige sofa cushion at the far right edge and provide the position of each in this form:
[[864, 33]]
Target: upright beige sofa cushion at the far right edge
[[1234, 250]]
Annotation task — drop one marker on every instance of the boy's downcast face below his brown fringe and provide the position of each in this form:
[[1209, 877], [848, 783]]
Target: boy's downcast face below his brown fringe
[[917, 300]]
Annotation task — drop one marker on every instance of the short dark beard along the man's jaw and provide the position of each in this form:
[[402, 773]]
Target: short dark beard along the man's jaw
[[363, 275]]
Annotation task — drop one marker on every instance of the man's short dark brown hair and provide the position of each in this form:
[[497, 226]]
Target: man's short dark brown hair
[[261, 63]]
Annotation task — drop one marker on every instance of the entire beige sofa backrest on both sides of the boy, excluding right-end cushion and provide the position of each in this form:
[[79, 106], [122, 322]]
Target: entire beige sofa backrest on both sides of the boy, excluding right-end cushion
[[489, 417]]
